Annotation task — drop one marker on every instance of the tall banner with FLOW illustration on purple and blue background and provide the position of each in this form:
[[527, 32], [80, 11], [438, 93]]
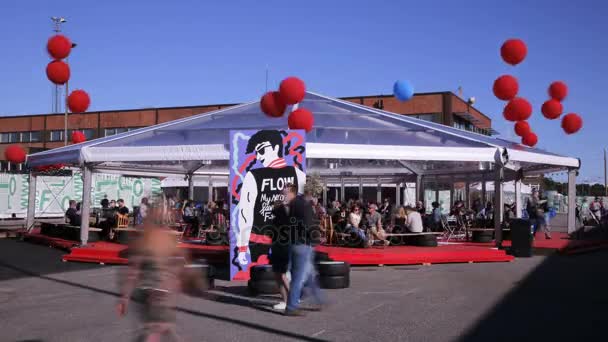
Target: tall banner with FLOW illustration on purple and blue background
[[262, 163]]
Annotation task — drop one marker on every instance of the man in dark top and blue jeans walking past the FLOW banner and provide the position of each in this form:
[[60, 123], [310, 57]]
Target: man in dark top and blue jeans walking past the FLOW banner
[[303, 237]]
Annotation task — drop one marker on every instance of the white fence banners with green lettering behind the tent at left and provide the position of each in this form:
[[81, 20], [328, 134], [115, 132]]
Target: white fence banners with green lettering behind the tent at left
[[53, 193]]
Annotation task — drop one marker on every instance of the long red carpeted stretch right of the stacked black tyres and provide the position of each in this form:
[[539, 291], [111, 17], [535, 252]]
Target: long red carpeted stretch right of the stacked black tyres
[[410, 255]]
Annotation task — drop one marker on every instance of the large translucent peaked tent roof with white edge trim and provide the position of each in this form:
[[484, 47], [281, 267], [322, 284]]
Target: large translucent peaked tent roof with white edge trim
[[342, 131]]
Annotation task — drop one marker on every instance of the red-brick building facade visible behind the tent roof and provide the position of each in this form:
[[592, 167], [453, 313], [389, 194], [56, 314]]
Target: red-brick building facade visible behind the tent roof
[[40, 132]]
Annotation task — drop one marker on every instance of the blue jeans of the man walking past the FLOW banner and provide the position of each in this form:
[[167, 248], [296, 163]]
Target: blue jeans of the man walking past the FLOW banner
[[302, 275]]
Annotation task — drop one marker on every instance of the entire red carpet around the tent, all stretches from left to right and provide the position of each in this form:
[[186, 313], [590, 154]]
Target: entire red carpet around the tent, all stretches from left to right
[[452, 252]]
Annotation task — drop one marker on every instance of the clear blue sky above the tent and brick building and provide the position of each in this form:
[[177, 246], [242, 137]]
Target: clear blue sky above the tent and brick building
[[134, 54]]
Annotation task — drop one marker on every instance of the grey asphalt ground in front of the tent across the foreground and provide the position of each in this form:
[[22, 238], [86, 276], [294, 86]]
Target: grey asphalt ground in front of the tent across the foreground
[[544, 298]]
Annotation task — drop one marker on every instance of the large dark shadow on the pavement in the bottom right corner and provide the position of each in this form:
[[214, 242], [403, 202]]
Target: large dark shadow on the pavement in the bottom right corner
[[564, 298]]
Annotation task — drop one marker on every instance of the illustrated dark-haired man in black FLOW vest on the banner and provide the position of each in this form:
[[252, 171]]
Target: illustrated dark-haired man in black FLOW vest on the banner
[[261, 188]]
